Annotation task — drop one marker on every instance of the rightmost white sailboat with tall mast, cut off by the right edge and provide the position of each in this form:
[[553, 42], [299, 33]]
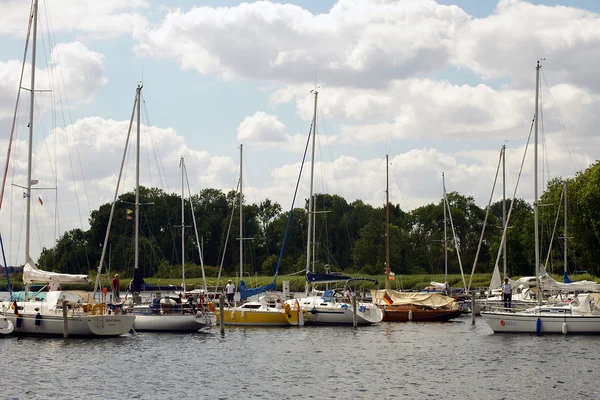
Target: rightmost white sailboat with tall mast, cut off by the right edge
[[581, 315]]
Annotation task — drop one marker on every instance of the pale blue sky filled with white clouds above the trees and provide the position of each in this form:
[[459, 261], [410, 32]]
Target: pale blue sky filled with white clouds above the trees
[[440, 86]]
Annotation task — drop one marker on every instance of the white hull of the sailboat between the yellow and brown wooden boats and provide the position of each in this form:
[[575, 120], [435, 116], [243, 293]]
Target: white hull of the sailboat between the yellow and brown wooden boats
[[318, 312]]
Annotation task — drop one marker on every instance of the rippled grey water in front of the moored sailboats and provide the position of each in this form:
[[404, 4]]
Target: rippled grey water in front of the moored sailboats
[[404, 360]]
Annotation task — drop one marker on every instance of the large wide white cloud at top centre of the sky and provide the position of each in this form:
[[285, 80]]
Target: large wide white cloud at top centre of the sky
[[355, 44]]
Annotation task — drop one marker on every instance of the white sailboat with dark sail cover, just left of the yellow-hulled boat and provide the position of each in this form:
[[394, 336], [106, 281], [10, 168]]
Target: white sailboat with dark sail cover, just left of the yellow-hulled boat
[[164, 313]]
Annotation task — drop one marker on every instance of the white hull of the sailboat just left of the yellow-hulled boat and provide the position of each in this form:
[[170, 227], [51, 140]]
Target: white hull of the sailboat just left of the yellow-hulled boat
[[173, 322]]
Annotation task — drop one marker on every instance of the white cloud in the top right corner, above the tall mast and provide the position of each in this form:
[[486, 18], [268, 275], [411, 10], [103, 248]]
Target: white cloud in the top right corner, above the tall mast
[[507, 43]]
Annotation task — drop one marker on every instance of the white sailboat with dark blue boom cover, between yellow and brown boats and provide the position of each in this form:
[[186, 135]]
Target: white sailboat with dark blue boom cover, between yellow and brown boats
[[331, 307]]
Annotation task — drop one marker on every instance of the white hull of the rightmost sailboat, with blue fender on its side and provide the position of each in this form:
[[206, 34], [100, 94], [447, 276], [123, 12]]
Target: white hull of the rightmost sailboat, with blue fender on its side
[[527, 322]]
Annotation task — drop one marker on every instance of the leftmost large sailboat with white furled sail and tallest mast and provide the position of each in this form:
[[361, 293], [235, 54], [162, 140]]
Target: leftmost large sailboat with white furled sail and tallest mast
[[56, 312]]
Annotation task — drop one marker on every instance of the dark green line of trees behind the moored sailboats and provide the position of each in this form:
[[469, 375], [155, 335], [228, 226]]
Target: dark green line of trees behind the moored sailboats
[[349, 237]]
